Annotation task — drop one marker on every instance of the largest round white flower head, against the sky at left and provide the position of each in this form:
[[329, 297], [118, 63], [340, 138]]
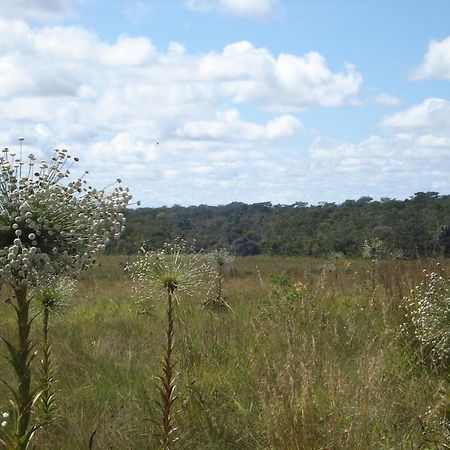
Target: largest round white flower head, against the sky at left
[[48, 224]]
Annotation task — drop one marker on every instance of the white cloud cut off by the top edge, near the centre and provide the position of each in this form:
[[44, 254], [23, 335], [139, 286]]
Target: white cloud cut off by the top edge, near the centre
[[253, 9]]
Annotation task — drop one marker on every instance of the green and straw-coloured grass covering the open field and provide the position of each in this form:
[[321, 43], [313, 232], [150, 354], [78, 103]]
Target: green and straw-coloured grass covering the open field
[[327, 370]]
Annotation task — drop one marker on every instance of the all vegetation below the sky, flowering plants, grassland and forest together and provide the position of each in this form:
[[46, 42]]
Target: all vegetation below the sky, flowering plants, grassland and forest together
[[271, 353]]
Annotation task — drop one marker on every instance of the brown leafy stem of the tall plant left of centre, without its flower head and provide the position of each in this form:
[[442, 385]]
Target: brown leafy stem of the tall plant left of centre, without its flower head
[[167, 387]]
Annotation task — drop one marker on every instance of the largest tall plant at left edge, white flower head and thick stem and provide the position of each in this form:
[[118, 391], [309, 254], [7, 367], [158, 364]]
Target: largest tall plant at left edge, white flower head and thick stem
[[49, 225]]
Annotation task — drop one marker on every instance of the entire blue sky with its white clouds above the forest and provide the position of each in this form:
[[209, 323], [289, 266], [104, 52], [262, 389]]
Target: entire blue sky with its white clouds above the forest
[[212, 101]]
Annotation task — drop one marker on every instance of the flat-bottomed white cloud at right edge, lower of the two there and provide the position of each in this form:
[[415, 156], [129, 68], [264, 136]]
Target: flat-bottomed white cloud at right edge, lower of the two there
[[430, 116]]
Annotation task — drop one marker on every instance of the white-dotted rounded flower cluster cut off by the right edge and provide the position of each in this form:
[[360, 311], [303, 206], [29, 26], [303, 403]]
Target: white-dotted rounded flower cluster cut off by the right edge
[[428, 311]]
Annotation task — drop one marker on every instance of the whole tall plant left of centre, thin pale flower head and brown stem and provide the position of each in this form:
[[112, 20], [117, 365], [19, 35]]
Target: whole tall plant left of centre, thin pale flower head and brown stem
[[170, 272]]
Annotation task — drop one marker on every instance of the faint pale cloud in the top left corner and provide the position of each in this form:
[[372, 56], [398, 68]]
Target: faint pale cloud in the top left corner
[[35, 10]]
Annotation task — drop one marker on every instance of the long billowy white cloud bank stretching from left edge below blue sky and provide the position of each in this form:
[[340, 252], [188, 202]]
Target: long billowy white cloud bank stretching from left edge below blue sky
[[129, 83]]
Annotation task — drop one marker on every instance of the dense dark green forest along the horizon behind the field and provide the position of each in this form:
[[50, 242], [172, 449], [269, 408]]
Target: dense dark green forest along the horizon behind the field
[[418, 227]]
